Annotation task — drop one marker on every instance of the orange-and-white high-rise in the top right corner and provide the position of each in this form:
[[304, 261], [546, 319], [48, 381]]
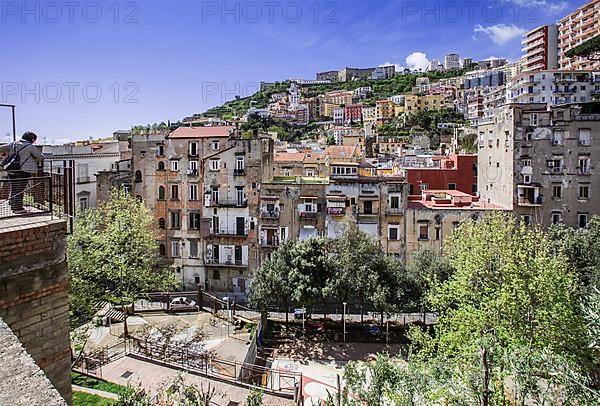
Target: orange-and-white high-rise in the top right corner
[[574, 29]]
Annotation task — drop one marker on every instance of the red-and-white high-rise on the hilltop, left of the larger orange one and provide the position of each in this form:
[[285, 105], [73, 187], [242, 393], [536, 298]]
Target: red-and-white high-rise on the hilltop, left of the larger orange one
[[540, 48]]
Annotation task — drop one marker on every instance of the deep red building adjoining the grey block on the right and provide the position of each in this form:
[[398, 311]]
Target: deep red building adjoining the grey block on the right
[[455, 172]]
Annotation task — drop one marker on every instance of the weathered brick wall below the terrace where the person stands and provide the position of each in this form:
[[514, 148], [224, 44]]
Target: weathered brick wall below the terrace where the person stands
[[34, 294]]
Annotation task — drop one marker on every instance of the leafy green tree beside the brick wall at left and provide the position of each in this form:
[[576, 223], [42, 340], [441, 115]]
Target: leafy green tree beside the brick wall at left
[[113, 256]]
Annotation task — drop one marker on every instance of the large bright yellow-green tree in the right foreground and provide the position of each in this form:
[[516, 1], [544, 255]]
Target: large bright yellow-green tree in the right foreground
[[509, 292]]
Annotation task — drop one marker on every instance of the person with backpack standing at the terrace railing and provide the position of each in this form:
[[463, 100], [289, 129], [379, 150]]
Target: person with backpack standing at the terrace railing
[[29, 158]]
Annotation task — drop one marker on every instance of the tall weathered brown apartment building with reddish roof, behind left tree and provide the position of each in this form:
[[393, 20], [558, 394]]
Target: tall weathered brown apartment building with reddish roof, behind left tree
[[200, 182]]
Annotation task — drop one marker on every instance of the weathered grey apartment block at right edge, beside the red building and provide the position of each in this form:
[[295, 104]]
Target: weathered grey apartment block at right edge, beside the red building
[[541, 163]]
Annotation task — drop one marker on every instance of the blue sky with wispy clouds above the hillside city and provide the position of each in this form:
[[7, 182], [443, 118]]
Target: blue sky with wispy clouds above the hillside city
[[81, 69]]
